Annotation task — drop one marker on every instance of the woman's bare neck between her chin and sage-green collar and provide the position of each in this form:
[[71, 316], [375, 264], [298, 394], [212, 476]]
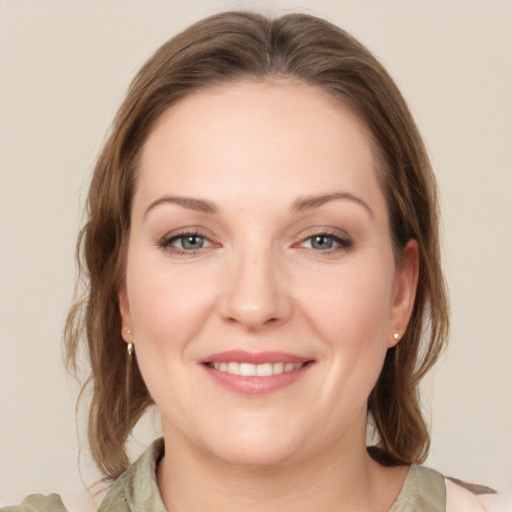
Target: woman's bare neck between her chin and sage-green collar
[[343, 479]]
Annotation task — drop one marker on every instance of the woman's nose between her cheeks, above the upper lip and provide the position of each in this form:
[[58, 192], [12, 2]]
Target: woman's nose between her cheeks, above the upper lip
[[255, 294]]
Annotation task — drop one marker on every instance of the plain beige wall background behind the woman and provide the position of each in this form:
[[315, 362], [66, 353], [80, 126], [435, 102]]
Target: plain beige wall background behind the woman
[[64, 67]]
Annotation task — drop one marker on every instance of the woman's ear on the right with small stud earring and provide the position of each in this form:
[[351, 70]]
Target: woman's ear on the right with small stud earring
[[404, 292]]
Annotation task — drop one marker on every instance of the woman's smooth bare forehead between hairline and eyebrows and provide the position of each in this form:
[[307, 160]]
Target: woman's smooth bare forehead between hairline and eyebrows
[[256, 137]]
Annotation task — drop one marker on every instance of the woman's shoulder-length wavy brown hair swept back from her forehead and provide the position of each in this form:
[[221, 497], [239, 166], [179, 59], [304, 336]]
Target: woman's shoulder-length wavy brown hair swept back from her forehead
[[237, 46]]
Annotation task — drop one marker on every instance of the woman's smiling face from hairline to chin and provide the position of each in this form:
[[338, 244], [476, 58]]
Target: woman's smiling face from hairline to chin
[[261, 288]]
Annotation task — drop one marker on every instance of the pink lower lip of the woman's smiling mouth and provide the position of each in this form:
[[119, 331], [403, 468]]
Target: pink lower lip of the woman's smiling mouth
[[256, 385]]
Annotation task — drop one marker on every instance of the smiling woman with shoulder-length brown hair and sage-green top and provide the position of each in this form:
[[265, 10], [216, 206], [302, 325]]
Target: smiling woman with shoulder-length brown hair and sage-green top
[[262, 258]]
